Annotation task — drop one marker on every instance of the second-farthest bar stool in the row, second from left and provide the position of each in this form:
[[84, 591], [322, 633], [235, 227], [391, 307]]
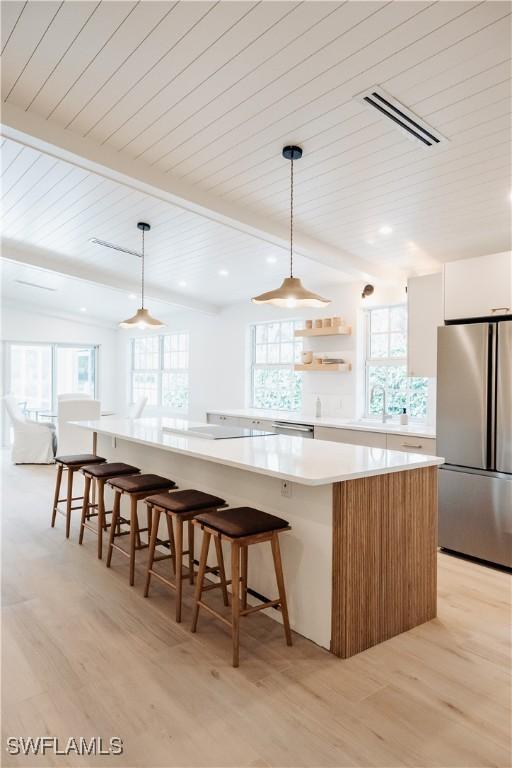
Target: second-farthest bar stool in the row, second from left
[[100, 473]]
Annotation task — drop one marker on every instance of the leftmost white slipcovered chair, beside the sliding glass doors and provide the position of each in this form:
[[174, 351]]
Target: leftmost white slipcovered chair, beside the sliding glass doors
[[34, 442]]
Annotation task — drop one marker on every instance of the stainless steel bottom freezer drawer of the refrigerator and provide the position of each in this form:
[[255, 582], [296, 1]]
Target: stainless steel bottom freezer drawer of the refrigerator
[[475, 515]]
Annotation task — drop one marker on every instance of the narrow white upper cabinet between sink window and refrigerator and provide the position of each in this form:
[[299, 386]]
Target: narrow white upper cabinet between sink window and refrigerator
[[425, 314]]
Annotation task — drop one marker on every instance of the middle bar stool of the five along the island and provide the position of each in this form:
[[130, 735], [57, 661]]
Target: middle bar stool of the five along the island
[[135, 487]]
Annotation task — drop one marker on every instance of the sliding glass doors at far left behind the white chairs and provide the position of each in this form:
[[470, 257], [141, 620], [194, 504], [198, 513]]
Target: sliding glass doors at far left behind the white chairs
[[38, 373]]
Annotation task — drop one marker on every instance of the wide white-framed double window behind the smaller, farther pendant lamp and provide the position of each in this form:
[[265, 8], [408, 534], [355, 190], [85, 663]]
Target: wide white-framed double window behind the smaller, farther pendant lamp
[[160, 370]]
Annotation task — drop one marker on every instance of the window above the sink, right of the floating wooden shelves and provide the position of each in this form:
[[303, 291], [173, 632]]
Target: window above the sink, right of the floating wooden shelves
[[386, 365]]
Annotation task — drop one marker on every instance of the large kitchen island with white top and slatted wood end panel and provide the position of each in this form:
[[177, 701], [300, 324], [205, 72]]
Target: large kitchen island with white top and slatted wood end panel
[[360, 560]]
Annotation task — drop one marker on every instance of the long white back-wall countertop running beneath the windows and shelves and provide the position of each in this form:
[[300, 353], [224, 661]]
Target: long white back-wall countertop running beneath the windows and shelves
[[391, 427]]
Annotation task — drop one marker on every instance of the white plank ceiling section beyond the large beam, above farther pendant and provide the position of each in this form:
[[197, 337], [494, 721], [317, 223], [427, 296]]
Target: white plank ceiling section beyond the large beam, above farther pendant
[[55, 208]]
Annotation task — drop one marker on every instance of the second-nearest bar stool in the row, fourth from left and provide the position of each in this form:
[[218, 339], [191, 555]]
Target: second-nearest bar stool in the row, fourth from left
[[180, 507]]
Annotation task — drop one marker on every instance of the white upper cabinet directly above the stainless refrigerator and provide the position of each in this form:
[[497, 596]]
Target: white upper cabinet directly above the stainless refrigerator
[[479, 287]]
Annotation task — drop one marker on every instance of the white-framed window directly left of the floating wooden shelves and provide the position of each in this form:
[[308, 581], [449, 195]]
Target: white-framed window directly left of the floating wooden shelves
[[275, 350]]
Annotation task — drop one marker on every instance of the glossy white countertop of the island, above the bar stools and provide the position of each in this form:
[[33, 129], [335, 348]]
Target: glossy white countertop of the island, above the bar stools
[[307, 462]]
